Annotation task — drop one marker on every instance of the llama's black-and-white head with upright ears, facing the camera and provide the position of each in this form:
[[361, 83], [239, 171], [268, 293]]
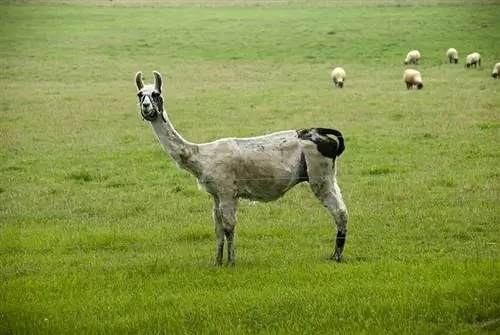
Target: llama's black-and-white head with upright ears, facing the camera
[[150, 97]]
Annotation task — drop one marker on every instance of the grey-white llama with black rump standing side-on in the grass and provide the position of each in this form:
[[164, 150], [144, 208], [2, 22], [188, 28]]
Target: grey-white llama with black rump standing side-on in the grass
[[261, 168]]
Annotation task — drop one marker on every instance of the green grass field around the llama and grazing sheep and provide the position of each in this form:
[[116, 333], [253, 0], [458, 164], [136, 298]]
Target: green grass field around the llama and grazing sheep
[[101, 233]]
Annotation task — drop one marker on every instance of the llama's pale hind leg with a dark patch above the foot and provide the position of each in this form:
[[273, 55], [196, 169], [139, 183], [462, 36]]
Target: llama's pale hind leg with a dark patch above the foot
[[329, 194]]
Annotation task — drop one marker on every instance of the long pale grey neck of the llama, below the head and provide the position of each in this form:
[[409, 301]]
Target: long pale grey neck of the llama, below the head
[[182, 152]]
